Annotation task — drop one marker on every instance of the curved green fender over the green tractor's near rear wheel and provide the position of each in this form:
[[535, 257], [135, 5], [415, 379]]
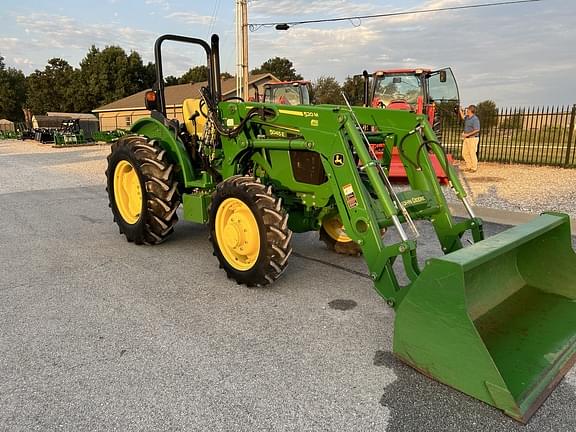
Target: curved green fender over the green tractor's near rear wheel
[[153, 129]]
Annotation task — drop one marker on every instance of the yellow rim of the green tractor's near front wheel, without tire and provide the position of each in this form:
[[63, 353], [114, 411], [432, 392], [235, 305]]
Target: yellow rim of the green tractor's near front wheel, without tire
[[237, 234]]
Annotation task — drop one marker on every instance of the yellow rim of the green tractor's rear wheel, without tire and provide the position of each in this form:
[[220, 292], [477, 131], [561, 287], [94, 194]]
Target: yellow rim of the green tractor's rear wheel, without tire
[[127, 192]]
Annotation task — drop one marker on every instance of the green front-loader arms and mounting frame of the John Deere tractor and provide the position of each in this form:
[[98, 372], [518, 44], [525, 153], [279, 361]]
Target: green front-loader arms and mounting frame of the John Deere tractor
[[355, 182]]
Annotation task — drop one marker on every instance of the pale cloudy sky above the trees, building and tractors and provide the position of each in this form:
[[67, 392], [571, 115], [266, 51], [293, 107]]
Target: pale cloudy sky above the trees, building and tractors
[[516, 55]]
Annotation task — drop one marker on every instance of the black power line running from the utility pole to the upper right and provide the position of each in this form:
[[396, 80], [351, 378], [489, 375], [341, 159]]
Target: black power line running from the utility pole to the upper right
[[285, 25]]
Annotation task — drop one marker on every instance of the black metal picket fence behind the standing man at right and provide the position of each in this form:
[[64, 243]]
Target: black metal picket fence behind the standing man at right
[[535, 135]]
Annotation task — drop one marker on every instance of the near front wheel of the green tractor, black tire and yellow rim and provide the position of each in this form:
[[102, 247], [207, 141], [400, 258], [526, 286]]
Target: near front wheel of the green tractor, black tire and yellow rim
[[249, 231]]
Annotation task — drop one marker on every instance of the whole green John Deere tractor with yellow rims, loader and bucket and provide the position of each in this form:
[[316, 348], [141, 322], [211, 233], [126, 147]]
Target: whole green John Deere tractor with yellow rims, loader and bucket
[[495, 320]]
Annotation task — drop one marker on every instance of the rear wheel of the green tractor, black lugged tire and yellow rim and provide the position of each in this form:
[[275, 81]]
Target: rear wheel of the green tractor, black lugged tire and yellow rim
[[142, 190]]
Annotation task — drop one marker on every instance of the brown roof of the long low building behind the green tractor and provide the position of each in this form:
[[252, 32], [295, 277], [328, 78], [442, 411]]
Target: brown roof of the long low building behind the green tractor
[[176, 94]]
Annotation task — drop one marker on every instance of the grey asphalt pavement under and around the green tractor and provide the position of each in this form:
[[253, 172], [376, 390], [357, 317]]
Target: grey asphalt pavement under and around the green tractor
[[98, 334]]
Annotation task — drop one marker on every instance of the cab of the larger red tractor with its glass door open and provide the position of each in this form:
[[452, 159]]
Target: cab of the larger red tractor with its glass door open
[[416, 90]]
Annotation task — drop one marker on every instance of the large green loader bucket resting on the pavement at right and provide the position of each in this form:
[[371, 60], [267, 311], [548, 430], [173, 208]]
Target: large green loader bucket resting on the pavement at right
[[496, 320]]
